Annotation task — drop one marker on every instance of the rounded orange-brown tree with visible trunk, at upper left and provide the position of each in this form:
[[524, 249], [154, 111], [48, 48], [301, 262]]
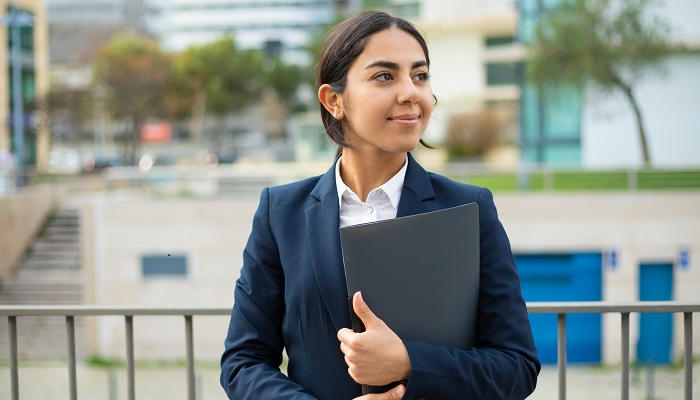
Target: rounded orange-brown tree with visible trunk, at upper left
[[134, 73]]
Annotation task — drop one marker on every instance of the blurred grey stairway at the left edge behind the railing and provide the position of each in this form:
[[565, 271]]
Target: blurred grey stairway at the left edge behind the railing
[[49, 274]]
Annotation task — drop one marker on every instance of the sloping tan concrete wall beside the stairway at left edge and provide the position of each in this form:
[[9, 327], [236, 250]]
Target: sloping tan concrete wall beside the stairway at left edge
[[21, 218]]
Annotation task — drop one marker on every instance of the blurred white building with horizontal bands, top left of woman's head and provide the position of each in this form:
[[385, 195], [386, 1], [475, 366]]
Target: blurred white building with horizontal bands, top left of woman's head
[[281, 28]]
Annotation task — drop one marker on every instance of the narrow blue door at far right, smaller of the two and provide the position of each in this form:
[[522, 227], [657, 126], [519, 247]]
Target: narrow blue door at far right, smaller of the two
[[655, 329]]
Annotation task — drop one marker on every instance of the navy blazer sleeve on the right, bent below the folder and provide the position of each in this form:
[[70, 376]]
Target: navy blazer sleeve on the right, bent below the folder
[[503, 363]]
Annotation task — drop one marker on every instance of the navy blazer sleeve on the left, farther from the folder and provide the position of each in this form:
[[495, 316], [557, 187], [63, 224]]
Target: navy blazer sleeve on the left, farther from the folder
[[253, 347]]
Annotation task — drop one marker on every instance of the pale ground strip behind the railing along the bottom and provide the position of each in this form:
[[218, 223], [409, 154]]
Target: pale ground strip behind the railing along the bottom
[[50, 381]]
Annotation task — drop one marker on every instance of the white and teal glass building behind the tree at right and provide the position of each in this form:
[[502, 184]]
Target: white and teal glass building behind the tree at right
[[575, 126]]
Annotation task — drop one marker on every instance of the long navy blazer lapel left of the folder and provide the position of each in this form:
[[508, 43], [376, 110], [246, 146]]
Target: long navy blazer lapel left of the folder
[[323, 223]]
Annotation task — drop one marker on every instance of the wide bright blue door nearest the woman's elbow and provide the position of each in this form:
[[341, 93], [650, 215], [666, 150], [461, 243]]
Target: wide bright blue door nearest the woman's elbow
[[563, 277]]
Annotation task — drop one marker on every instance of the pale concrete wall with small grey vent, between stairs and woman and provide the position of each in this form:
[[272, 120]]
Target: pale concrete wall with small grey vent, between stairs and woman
[[117, 232]]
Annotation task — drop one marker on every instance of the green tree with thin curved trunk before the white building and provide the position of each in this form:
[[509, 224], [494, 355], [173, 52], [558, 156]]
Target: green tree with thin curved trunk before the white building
[[610, 43]]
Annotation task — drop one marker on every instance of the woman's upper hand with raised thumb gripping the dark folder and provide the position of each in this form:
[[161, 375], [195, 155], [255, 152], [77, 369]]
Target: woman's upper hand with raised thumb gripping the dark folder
[[376, 356]]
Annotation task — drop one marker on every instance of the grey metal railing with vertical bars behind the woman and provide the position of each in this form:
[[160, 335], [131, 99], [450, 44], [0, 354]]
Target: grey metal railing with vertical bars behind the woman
[[559, 308]]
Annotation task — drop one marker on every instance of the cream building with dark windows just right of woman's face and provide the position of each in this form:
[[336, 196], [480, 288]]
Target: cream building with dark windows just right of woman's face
[[473, 75]]
